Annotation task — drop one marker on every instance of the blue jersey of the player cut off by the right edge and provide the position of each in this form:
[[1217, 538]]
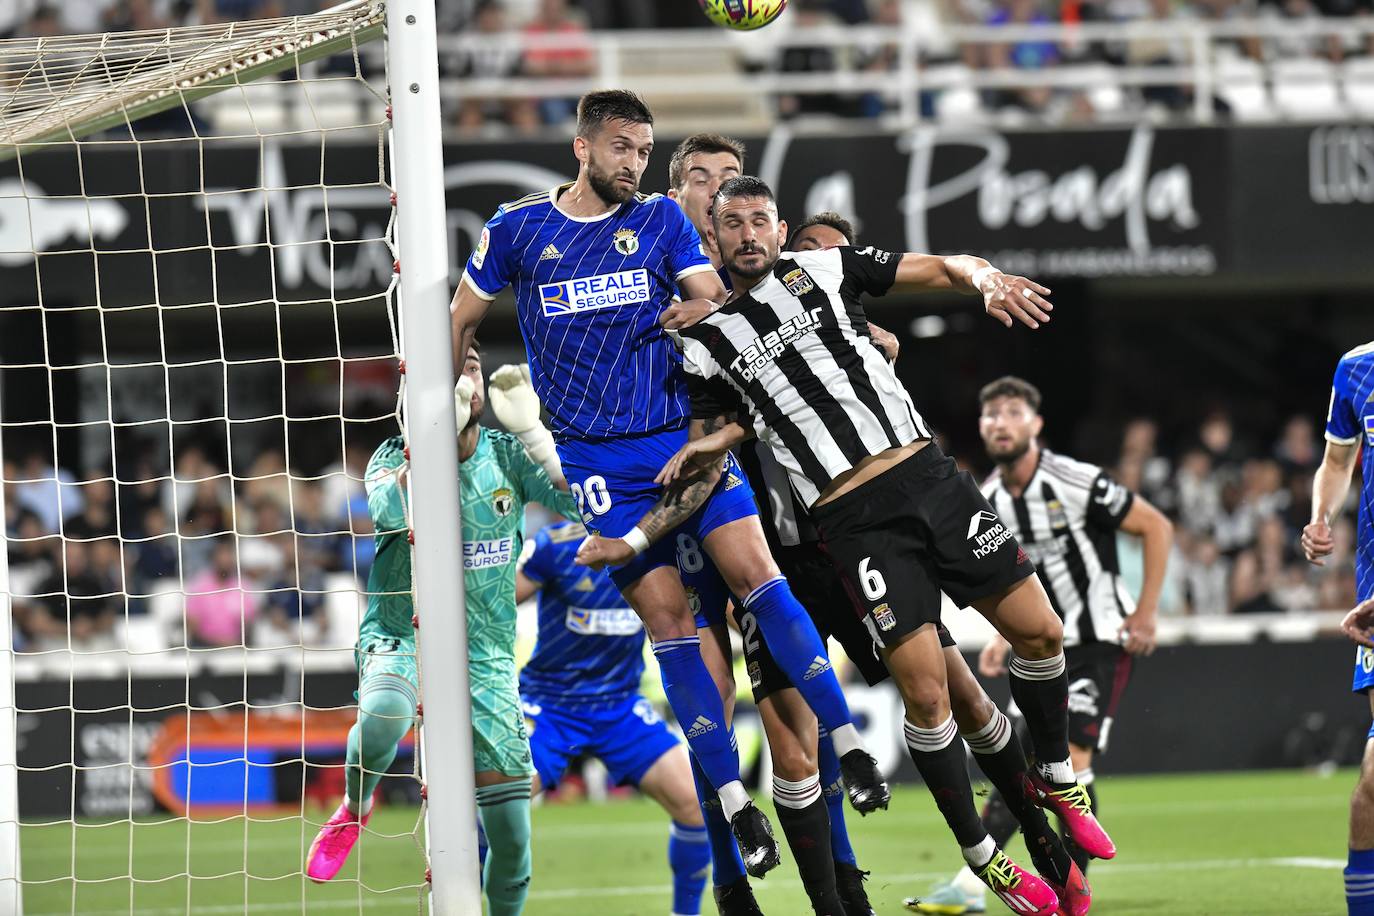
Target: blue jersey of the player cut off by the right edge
[[1351, 421]]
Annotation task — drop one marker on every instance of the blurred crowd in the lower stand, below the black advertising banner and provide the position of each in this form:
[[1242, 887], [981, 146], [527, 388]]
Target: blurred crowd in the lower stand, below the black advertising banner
[[252, 554]]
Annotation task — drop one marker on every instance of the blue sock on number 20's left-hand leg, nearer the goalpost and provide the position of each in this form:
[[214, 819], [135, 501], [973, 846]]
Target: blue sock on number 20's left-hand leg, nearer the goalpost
[[696, 702]]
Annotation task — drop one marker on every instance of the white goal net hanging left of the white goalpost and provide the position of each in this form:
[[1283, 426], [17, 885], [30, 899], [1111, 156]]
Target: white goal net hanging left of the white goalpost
[[200, 350]]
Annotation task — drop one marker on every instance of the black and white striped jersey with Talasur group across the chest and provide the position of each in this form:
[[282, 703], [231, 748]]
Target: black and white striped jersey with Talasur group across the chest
[[796, 354]]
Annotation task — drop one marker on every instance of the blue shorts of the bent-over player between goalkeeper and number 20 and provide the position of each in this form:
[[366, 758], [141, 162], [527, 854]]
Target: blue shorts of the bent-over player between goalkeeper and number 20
[[629, 738]]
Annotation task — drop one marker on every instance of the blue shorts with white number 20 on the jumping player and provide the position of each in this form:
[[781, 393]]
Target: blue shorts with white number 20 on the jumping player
[[613, 484]]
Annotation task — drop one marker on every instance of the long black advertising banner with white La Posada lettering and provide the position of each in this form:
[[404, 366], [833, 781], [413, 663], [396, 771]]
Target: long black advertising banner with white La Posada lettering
[[1130, 203]]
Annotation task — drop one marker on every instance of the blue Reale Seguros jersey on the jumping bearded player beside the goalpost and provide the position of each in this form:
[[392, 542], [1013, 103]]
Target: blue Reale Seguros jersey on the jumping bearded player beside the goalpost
[[589, 293]]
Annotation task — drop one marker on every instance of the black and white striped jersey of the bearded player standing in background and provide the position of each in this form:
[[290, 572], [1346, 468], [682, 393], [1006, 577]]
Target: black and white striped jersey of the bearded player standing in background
[[1067, 521]]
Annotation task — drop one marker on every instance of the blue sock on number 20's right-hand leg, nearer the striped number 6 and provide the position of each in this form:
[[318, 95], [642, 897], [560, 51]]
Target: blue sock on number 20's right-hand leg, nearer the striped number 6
[[798, 649]]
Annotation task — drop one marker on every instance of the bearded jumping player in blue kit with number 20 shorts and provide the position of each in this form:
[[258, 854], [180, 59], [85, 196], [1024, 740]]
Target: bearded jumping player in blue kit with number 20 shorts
[[596, 267]]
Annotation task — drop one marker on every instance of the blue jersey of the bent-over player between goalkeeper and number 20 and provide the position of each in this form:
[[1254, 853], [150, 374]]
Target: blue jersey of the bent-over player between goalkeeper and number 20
[[592, 645]]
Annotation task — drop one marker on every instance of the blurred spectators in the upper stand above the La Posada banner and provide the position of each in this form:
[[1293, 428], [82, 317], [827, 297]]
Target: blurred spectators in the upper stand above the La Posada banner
[[504, 54]]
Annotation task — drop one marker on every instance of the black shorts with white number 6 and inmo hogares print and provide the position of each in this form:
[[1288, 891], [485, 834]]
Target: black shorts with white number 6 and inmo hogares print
[[913, 532]]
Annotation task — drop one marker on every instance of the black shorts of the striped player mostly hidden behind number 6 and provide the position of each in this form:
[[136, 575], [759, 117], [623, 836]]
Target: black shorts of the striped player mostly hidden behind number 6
[[817, 584]]
